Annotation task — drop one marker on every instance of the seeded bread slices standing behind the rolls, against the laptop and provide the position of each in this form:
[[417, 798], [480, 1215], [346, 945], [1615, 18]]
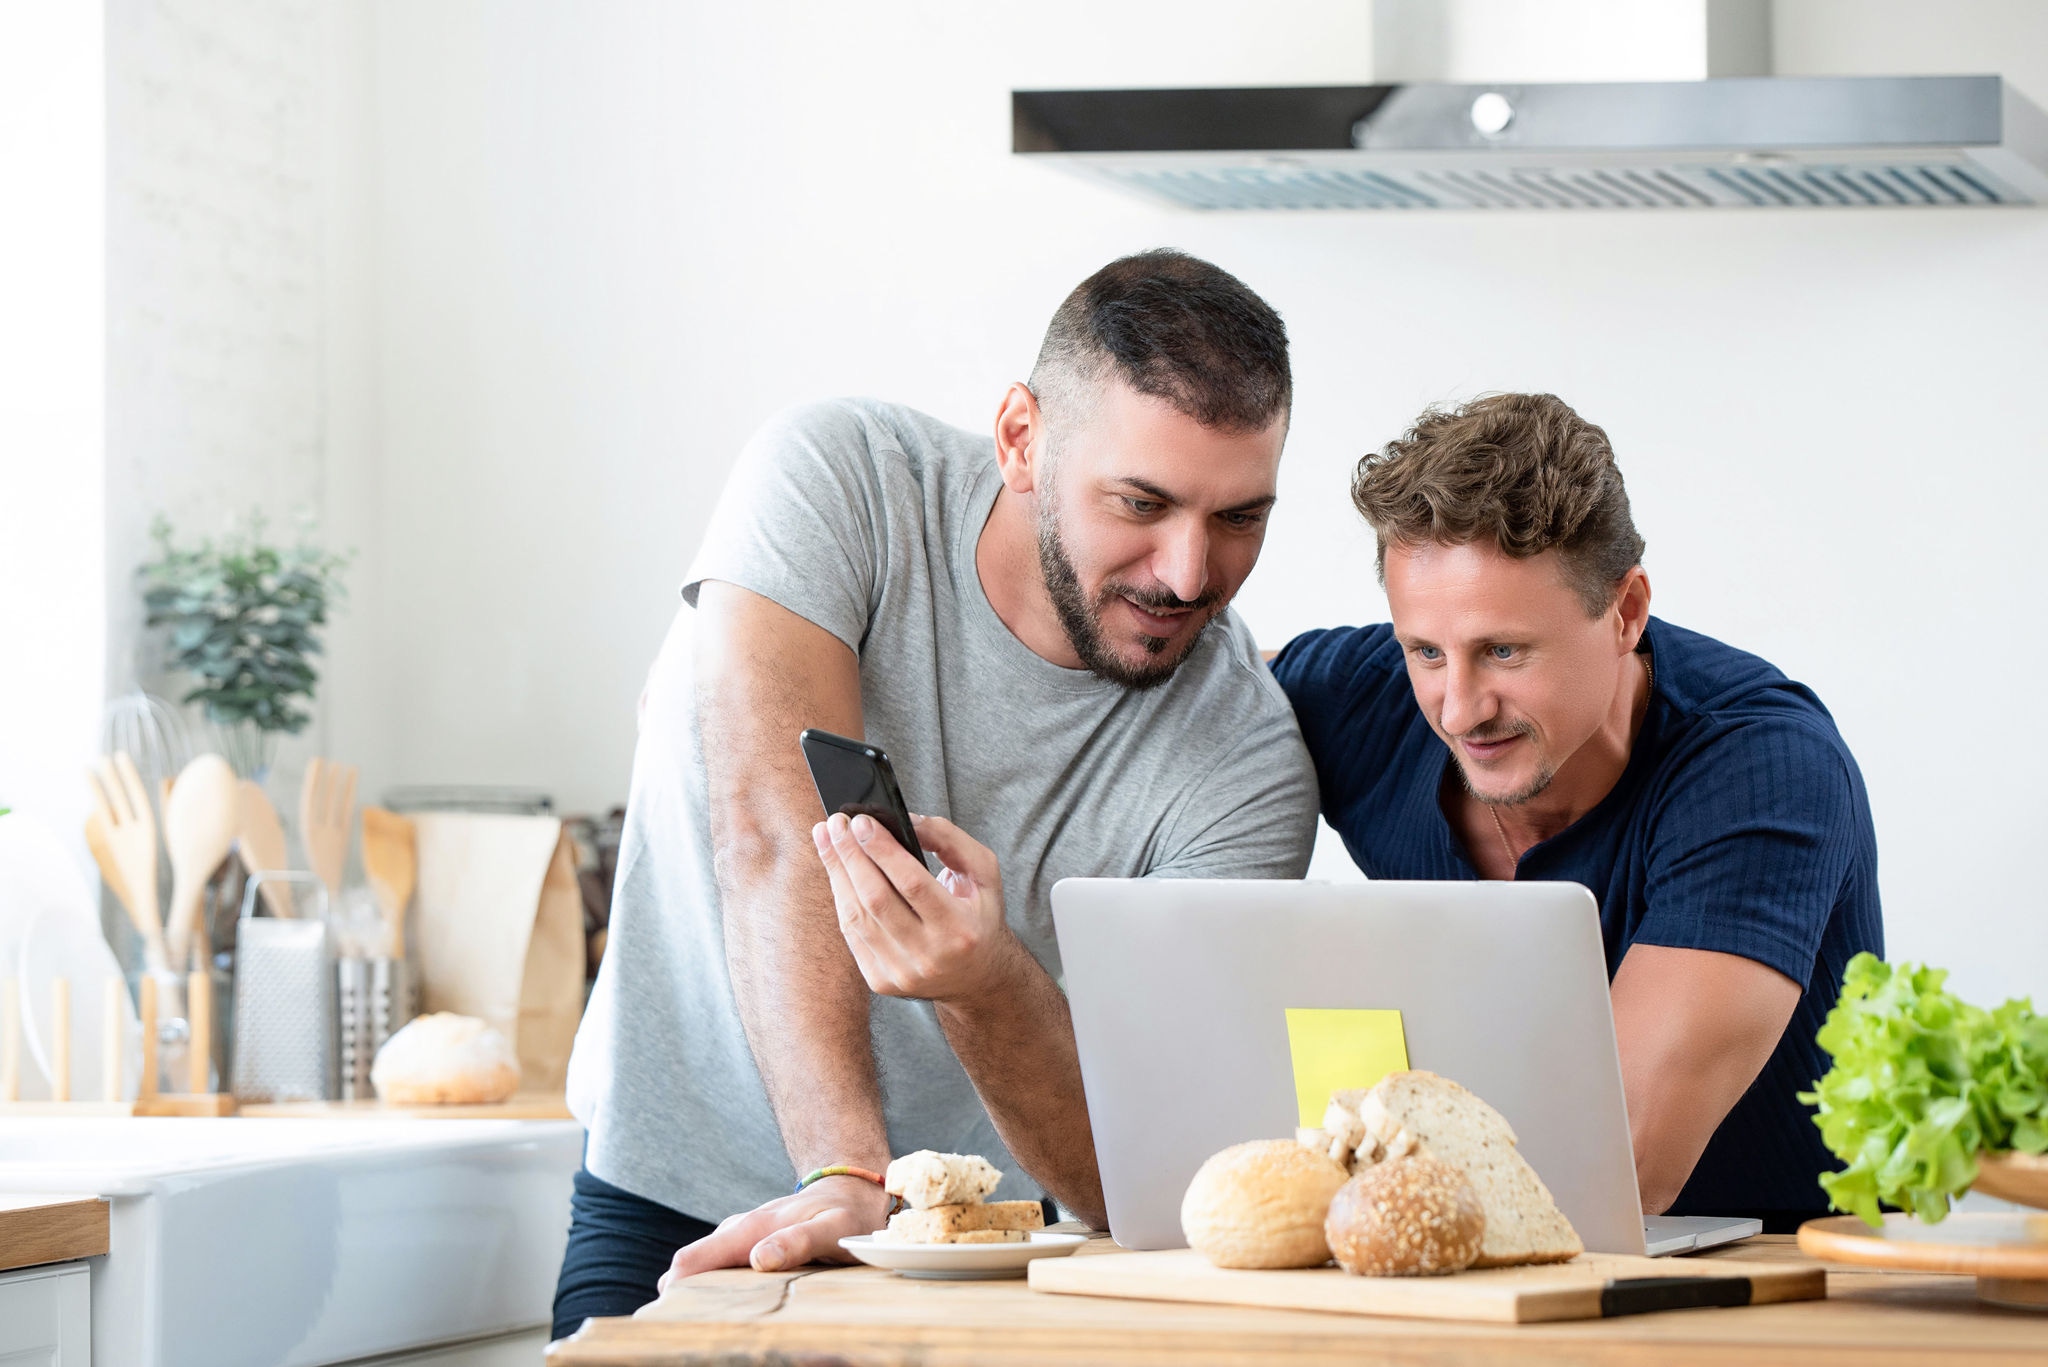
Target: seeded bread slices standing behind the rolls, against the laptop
[[1424, 1114]]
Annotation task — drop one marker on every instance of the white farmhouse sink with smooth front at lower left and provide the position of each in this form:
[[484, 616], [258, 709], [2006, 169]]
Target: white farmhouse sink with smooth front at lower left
[[294, 1243]]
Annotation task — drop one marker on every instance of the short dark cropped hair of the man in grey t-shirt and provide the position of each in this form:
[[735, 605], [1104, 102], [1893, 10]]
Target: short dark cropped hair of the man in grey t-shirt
[[1172, 327]]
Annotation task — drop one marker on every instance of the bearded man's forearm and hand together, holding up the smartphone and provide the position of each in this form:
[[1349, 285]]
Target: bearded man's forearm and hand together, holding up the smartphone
[[947, 942]]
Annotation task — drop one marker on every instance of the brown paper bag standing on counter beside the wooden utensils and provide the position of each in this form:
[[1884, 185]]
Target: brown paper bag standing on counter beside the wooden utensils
[[501, 934]]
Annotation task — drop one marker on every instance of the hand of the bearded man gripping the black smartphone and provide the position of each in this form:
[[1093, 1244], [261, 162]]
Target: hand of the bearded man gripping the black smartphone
[[916, 936]]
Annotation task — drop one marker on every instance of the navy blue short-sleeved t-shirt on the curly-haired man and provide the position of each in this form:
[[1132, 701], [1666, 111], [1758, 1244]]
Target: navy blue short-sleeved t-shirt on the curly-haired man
[[1740, 825]]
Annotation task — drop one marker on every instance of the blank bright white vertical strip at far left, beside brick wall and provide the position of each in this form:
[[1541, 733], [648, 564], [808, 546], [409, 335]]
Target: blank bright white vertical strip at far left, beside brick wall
[[52, 384]]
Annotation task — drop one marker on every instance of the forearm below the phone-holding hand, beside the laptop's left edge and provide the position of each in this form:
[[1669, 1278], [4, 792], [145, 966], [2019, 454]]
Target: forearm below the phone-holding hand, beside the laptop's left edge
[[1021, 1057]]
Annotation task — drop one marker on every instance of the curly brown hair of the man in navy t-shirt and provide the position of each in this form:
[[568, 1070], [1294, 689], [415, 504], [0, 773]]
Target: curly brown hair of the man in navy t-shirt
[[1521, 470]]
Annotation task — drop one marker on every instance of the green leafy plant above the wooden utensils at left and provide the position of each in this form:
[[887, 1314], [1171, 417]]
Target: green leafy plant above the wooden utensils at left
[[245, 620]]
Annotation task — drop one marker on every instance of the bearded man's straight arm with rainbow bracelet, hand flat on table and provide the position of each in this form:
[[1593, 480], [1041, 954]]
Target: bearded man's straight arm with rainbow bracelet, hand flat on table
[[763, 675]]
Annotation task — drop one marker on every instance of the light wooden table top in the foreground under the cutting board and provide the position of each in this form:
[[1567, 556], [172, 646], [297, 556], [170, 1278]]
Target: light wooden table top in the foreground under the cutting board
[[861, 1315]]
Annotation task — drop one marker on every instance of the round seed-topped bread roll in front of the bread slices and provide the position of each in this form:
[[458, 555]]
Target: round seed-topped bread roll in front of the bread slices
[[1406, 1218]]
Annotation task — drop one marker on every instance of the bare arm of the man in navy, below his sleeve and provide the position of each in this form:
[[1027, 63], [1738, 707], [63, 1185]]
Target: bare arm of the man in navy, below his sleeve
[[1695, 1030]]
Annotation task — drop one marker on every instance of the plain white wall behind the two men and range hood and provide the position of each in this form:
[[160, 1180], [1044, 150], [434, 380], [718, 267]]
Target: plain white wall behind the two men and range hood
[[611, 239]]
